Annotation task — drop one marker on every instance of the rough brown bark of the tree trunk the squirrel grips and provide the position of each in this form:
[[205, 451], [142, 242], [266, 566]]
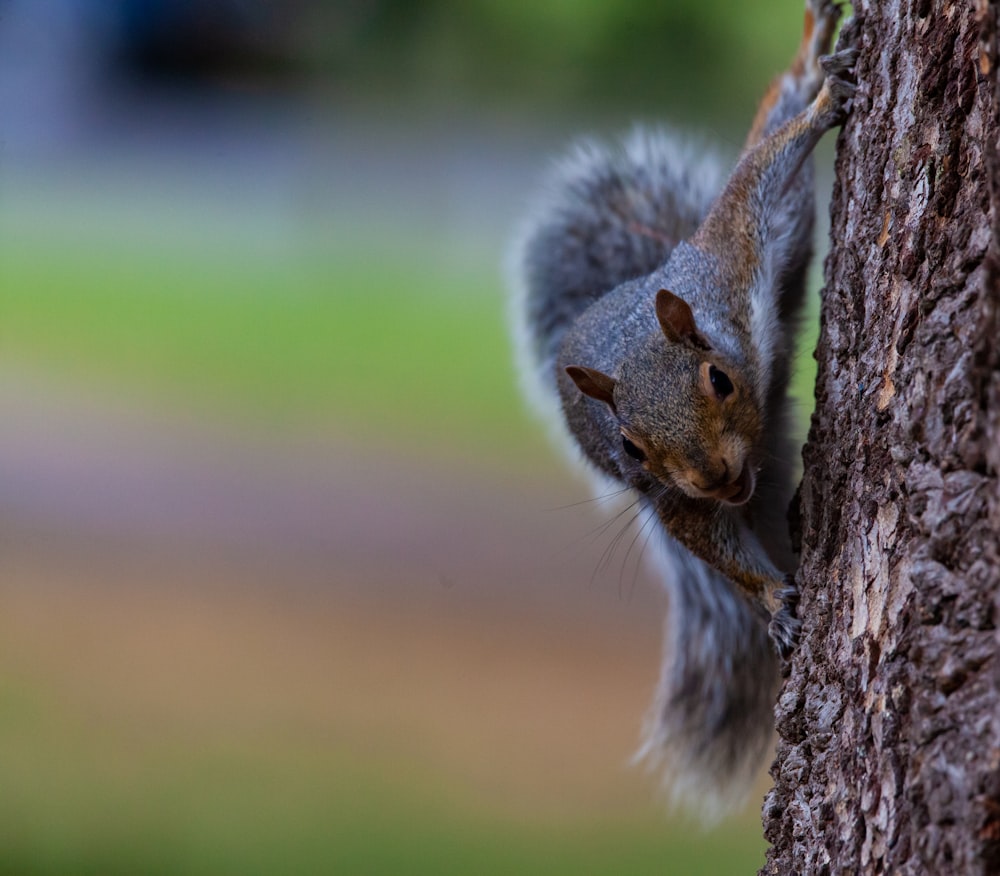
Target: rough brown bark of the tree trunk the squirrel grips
[[889, 724]]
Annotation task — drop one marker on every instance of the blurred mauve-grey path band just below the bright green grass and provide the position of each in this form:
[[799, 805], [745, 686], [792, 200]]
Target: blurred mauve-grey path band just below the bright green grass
[[79, 469]]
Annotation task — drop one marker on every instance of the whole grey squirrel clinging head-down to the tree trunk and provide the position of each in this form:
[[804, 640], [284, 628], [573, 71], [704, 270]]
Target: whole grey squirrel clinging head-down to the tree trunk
[[656, 315]]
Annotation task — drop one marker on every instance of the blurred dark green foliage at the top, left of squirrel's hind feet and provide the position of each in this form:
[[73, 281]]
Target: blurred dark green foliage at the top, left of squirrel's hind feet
[[591, 51]]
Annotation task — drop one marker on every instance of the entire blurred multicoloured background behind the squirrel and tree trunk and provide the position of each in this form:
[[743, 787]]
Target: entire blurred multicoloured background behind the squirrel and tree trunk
[[291, 582]]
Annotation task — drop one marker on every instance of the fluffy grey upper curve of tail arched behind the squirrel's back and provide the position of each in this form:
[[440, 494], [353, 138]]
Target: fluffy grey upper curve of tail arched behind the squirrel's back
[[607, 214]]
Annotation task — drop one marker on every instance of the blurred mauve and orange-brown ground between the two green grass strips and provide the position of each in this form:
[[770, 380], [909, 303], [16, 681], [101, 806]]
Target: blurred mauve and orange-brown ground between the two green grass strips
[[176, 581]]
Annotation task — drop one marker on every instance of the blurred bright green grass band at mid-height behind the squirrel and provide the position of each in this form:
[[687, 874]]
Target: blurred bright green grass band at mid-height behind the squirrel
[[369, 344]]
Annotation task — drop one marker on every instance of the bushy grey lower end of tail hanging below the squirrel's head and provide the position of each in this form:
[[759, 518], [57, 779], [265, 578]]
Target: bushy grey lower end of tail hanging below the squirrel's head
[[710, 728]]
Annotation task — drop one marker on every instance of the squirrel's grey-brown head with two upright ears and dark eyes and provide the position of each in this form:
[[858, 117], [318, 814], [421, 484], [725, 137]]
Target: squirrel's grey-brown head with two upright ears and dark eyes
[[685, 414]]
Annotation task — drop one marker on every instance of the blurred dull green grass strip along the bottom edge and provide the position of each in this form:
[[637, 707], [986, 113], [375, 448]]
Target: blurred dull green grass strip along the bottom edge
[[78, 799]]
